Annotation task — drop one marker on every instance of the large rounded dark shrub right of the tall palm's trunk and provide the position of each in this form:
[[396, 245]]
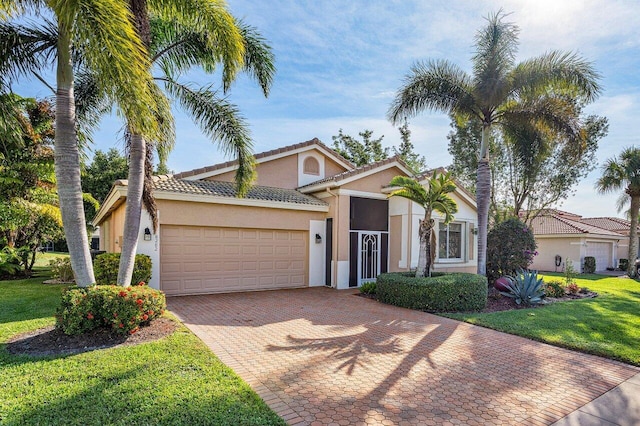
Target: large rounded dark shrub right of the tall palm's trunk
[[510, 247]]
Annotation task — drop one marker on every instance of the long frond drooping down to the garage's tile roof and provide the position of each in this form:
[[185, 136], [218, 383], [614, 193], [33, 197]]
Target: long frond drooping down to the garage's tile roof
[[222, 122]]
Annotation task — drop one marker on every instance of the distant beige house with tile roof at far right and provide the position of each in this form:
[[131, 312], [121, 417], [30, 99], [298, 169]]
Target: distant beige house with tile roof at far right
[[571, 236]]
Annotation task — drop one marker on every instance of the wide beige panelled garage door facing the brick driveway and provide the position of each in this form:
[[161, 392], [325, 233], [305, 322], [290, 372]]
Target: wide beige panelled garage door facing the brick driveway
[[217, 260]]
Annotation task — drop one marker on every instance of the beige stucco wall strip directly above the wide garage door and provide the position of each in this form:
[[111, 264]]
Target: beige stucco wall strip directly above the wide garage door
[[209, 214]]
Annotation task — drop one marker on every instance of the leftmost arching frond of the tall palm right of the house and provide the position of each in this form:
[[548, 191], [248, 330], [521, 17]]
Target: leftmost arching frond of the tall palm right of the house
[[433, 85]]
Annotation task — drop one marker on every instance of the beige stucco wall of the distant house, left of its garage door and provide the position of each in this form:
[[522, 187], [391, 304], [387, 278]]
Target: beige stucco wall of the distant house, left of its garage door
[[549, 247]]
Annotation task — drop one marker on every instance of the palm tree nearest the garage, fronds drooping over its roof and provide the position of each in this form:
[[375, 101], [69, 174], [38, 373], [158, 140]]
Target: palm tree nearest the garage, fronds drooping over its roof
[[211, 36]]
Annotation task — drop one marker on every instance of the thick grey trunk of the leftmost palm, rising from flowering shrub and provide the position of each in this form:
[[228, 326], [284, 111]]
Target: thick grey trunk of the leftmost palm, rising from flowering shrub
[[67, 165]]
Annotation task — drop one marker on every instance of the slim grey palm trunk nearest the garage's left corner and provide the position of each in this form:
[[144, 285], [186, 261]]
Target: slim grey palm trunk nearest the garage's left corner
[[133, 211]]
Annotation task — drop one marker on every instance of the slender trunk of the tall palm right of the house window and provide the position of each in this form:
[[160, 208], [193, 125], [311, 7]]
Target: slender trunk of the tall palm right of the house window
[[483, 198]]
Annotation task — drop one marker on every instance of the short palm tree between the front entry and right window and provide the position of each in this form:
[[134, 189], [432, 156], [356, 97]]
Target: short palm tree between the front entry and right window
[[435, 198]]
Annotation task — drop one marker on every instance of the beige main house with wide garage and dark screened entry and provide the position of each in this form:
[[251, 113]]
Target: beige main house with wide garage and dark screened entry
[[311, 219]]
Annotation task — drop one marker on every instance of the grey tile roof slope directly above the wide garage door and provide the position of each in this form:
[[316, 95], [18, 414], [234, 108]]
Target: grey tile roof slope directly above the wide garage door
[[227, 189]]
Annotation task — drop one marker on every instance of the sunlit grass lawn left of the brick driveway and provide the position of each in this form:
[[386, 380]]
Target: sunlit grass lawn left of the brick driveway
[[175, 380]]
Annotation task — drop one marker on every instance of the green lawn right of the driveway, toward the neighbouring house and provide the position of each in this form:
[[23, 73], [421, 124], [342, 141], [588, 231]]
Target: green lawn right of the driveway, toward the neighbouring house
[[608, 325]]
